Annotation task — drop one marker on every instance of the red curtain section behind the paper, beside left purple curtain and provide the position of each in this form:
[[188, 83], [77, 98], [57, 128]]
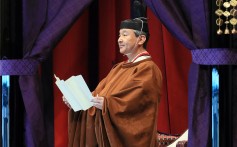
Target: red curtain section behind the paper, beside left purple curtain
[[70, 58]]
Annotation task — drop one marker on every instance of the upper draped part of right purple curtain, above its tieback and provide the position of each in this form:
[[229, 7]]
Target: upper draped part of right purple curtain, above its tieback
[[185, 19]]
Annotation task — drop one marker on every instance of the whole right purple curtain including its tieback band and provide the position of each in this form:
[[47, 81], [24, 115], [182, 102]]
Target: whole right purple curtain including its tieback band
[[189, 22]]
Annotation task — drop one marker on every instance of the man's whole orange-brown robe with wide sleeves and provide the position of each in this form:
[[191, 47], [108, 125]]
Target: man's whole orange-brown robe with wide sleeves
[[129, 116]]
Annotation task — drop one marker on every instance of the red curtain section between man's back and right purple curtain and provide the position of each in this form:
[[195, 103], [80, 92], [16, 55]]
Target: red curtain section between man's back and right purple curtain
[[174, 61]]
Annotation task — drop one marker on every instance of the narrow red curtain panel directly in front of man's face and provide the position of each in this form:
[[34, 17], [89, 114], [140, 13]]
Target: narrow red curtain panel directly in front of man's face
[[110, 14]]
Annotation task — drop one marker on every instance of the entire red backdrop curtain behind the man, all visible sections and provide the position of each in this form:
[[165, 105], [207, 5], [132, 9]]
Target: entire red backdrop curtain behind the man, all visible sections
[[71, 58]]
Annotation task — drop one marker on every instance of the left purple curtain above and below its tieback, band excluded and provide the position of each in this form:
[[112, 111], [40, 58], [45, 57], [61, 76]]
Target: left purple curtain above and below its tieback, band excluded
[[44, 24]]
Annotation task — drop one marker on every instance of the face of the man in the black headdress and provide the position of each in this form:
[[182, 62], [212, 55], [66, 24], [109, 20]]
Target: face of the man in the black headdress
[[127, 41]]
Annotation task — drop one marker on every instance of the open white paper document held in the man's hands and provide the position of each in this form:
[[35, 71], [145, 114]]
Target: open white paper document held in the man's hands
[[76, 92]]
